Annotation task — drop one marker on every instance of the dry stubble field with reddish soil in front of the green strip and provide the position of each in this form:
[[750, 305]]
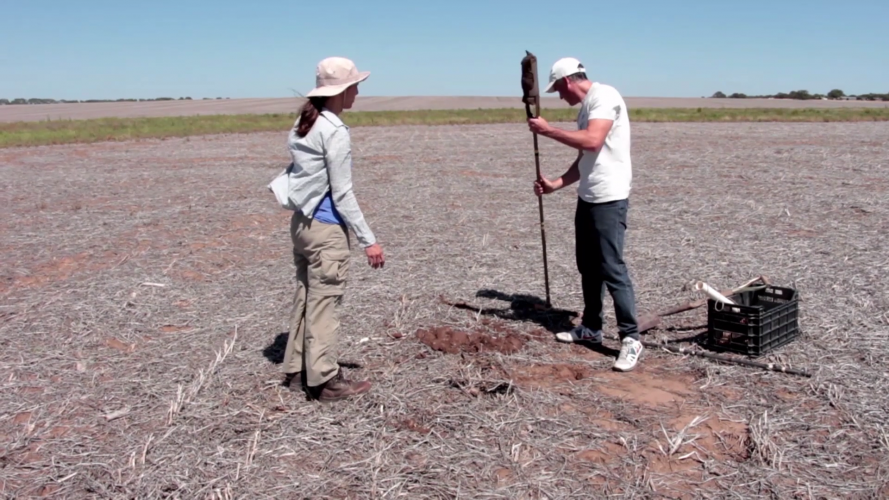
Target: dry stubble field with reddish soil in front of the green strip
[[145, 290]]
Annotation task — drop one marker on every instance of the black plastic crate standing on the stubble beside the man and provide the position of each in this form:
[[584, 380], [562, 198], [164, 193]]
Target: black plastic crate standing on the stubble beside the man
[[759, 321]]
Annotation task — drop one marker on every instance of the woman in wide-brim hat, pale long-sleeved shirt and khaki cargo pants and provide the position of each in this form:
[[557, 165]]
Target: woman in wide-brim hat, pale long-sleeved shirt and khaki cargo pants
[[320, 188]]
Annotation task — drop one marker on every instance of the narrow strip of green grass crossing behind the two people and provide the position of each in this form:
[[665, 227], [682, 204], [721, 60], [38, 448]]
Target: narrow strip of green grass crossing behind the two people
[[120, 129]]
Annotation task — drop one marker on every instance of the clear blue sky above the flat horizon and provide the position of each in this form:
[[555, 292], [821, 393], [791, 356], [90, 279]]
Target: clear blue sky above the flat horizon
[[109, 49]]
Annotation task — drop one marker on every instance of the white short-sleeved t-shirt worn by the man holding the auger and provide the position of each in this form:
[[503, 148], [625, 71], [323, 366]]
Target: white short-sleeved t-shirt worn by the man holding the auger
[[605, 175]]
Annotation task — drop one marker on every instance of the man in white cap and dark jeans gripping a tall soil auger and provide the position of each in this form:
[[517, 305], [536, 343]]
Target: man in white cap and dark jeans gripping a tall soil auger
[[604, 170]]
